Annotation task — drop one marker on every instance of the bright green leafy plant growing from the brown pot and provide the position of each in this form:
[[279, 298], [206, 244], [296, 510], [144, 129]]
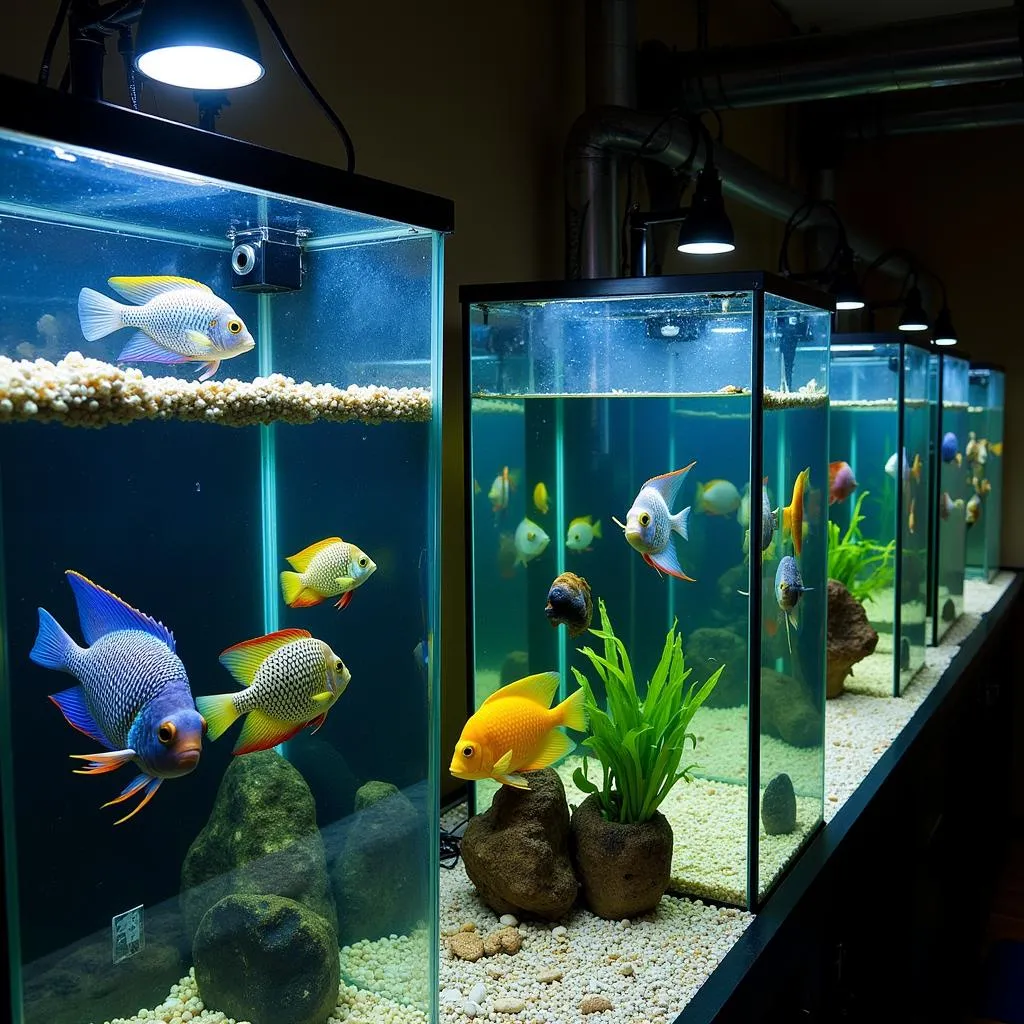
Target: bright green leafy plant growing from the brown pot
[[638, 743]]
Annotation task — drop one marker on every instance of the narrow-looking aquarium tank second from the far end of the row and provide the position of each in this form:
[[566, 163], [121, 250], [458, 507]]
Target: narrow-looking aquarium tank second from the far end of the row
[[957, 505]]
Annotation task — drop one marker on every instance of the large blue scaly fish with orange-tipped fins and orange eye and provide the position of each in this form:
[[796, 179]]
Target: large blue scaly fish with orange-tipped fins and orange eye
[[134, 697]]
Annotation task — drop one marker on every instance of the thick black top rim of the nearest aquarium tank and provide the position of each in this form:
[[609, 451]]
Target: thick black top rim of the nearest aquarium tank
[[31, 110]]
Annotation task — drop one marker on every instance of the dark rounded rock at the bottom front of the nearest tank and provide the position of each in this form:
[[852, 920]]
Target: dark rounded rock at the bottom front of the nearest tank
[[268, 960]]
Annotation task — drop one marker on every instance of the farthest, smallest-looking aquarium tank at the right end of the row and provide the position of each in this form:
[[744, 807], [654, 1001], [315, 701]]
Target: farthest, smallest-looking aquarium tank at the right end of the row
[[985, 445]]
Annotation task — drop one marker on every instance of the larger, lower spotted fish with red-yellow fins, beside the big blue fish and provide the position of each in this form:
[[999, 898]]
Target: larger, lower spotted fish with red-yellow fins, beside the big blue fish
[[291, 680]]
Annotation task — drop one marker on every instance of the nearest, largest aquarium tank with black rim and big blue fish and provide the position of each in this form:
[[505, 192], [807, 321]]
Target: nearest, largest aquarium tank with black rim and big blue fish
[[220, 432]]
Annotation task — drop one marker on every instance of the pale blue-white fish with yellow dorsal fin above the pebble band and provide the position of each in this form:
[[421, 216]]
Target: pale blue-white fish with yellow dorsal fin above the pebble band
[[178, 320]]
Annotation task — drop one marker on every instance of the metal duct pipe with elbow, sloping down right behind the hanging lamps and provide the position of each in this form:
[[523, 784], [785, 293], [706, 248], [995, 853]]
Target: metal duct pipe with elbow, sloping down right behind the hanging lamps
[[603, 136]]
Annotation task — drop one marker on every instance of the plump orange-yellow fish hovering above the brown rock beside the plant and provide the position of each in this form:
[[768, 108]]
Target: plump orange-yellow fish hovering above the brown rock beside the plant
[[516, 730]]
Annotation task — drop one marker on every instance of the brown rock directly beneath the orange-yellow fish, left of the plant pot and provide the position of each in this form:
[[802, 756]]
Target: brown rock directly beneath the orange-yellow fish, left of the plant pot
[[517, 852]]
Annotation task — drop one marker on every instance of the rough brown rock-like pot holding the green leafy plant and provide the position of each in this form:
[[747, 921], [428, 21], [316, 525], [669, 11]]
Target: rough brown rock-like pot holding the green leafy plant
[[624, 869]]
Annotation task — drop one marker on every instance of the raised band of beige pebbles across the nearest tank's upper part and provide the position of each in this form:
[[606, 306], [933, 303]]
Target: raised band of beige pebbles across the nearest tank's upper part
[[83, 393]]
